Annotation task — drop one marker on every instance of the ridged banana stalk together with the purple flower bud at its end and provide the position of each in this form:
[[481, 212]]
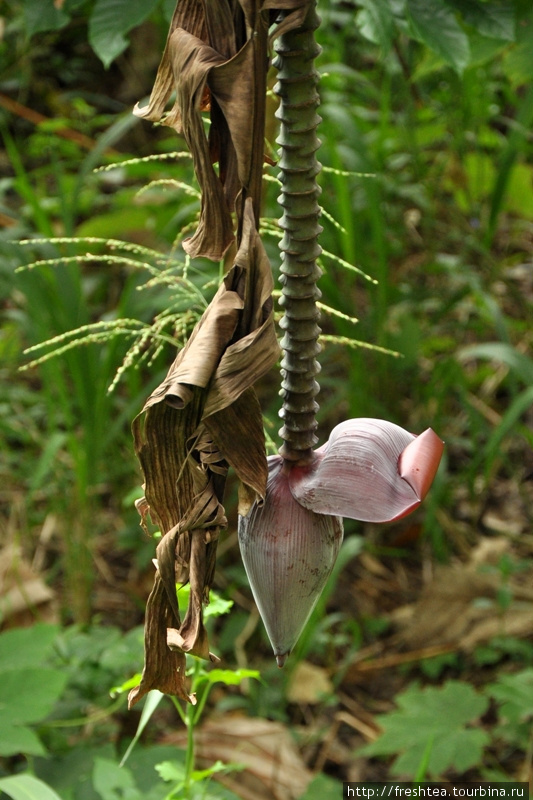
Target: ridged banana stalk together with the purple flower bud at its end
[[369, 469]]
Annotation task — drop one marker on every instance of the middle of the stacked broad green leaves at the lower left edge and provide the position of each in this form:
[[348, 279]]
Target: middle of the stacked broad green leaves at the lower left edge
[[28, 695]]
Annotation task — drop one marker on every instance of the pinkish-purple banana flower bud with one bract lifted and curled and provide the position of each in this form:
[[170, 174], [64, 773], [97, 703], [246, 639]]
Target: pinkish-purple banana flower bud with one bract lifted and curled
[[370, 470]]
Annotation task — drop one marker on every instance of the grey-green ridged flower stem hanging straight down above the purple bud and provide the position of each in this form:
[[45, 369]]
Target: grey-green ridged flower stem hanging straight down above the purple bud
[[297, 90]]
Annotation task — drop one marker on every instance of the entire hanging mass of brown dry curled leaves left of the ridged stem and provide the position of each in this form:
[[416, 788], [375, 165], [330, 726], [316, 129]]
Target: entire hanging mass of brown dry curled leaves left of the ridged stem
[[205, 416]]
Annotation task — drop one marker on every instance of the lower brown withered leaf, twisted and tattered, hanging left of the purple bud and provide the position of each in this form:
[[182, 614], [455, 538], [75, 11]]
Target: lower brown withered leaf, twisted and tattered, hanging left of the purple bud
[[203, 417]]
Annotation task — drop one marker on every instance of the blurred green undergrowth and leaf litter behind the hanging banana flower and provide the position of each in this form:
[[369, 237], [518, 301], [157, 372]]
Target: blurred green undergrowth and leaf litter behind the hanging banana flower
[[428, 189]]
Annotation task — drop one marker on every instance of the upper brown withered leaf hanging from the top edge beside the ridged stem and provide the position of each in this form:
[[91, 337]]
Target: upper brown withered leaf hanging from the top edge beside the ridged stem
[[216, 59]]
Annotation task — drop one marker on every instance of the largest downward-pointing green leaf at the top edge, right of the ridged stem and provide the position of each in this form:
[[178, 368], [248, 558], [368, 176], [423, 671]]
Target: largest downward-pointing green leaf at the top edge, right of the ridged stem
[[436, 26]]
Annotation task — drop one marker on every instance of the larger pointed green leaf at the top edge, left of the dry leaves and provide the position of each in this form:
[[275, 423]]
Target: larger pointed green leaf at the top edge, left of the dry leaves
[[111, 20]]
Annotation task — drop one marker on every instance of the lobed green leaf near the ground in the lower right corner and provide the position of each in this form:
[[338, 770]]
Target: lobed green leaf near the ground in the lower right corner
[[439, 714]]
